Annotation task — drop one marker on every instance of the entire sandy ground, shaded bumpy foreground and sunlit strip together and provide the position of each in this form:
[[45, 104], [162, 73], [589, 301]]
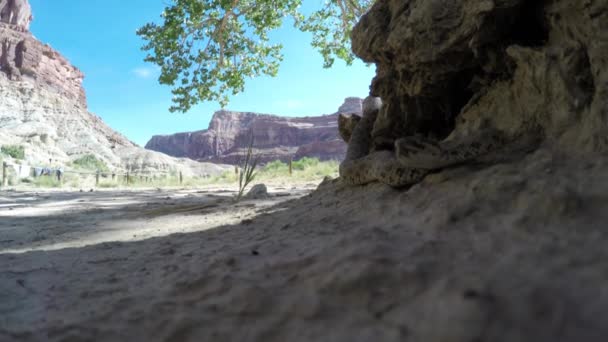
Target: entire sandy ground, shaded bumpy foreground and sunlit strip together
[[510, 252]]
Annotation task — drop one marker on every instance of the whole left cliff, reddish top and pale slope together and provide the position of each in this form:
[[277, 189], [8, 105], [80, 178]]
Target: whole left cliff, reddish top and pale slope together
[[43, 105]]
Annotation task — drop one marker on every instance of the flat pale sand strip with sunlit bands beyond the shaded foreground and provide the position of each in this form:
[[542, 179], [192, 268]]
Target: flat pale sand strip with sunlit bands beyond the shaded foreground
[[44, 220]]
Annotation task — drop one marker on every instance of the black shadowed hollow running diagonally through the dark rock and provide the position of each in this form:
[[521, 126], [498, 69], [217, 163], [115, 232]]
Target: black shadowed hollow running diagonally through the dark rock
[[434, 116]]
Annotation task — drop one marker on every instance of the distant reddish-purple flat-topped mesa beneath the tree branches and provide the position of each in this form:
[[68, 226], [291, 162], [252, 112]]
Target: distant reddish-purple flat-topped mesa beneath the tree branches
[[275, 137]]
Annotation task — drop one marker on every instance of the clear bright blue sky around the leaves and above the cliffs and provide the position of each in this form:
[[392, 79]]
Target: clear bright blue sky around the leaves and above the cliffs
[[99, 38]]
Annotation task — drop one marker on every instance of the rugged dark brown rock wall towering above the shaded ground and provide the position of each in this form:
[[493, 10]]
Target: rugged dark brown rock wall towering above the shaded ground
[[511, 62]]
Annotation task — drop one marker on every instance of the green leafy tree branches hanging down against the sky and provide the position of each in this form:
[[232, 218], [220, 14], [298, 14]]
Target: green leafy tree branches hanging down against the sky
[[207, 48]]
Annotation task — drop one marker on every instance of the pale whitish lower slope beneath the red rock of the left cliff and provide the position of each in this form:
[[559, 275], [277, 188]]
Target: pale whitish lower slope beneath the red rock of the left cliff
[[53, 127]]
